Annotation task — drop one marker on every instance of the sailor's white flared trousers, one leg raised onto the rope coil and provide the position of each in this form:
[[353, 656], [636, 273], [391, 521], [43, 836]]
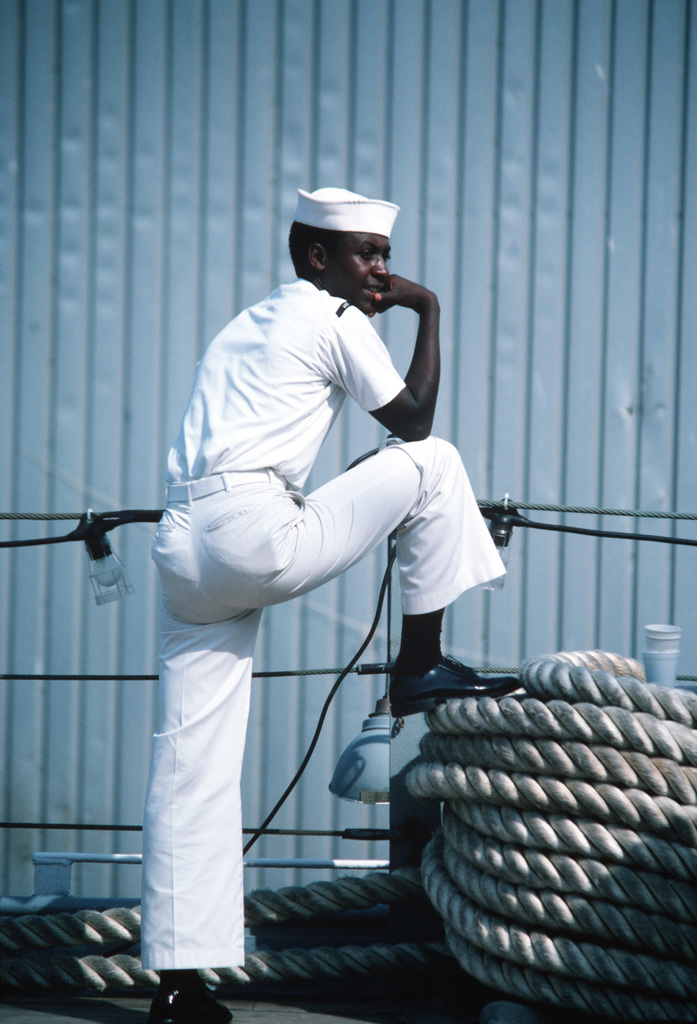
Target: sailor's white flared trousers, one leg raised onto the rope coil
[[223, 559]]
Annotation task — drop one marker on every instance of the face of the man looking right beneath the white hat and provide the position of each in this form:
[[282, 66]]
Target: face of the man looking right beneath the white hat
[[358, 271]]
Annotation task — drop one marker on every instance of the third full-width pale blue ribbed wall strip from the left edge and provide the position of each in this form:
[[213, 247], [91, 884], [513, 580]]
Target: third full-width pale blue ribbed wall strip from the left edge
[[107, 261]]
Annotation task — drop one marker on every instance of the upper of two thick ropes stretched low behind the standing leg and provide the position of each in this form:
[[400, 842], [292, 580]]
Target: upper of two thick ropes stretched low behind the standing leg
[[263, 907]]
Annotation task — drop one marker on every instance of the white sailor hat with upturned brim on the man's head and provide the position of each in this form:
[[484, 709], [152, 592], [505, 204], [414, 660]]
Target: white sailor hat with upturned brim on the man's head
[[339, 210]]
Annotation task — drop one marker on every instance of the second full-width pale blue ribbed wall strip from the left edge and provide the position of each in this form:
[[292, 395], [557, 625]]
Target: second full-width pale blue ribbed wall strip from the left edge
[[68, 441]]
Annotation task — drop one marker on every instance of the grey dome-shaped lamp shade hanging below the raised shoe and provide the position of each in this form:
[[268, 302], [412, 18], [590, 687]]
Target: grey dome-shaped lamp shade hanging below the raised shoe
[[363, 773]]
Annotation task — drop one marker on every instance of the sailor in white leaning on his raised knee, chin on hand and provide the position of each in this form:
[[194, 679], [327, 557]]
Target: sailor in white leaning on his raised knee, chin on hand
[[240, 535]]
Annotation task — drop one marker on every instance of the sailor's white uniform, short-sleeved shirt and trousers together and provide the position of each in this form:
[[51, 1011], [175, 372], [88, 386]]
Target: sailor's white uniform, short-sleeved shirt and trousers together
[[239, 536]]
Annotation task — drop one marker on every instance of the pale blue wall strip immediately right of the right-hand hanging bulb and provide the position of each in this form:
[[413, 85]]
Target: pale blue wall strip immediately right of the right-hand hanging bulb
[[544, 458]]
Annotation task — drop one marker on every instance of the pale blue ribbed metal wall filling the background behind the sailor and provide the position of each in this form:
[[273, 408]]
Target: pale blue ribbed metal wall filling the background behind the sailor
[[545, 156]]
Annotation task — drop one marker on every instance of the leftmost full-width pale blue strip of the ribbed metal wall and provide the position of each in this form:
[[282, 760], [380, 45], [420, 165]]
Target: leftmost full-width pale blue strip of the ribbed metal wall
[[26, 577]]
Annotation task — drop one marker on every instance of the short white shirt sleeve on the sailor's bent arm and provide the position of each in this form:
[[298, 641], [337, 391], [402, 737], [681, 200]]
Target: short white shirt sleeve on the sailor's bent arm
[[356, 359]]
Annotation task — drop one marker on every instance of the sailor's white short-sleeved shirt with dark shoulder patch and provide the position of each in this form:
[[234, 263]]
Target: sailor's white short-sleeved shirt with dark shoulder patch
[[271, 386]]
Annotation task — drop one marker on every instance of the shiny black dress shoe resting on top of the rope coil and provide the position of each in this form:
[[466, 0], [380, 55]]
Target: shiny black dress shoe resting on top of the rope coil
[[412, 694]]
